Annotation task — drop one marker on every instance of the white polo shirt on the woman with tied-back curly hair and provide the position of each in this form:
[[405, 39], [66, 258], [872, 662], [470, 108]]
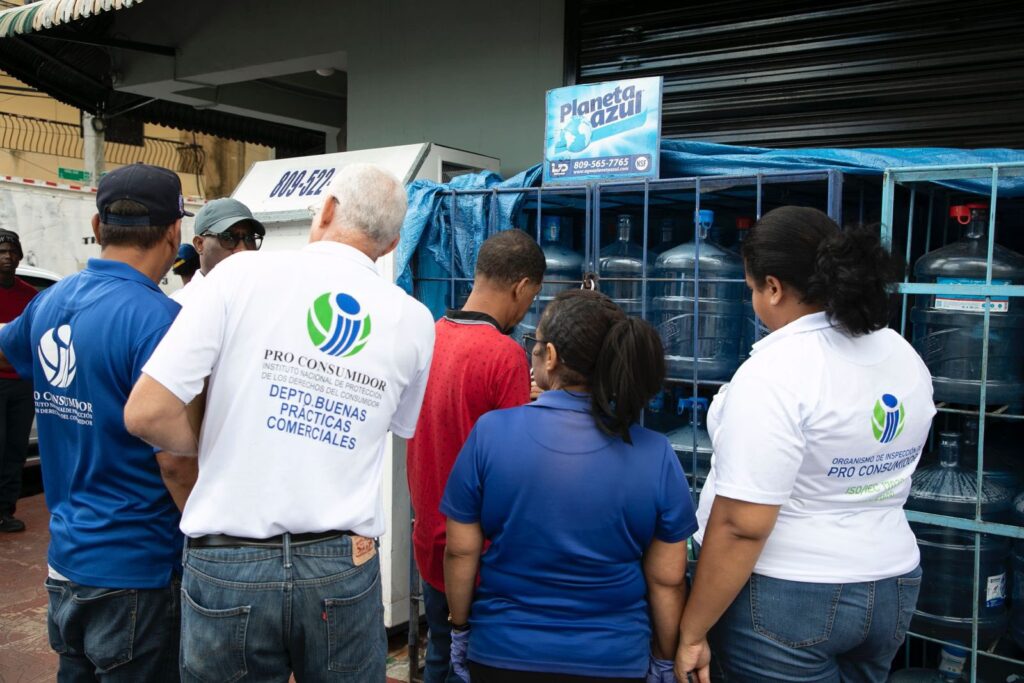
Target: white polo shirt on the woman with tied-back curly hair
[[830, 428]]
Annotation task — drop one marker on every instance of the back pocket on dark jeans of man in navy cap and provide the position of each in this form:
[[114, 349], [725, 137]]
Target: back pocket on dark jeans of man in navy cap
[[111, 615]]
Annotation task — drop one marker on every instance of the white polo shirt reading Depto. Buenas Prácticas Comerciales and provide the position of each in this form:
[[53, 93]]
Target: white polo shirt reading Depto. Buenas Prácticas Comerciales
[[313, 358]]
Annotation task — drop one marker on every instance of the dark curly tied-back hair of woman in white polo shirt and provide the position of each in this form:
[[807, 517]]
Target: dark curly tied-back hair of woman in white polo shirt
[[845, 273]]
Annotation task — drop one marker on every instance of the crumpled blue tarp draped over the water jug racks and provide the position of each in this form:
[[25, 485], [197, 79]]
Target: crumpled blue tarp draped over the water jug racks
[[429, 224]]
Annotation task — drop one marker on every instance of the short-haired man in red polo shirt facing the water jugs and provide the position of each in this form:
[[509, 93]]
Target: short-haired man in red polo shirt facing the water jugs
[[477, 368]]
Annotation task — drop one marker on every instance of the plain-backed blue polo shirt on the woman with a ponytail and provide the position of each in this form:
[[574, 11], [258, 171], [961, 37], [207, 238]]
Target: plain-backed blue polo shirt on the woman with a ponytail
[[570, 513]]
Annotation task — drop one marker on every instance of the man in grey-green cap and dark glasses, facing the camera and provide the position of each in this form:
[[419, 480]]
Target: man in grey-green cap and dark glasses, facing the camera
[[224, 228]]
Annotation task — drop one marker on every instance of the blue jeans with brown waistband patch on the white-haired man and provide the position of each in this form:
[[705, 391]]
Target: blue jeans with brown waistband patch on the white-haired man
[[262, 614]]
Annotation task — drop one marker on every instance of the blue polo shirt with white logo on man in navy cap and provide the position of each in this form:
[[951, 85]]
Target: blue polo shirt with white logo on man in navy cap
[[84, 343]]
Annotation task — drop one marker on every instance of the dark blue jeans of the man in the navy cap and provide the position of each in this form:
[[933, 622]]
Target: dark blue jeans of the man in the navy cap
[[114, 635]]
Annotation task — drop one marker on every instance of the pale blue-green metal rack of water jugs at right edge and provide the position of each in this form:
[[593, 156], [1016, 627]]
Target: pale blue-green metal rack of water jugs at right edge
[[903, 233]]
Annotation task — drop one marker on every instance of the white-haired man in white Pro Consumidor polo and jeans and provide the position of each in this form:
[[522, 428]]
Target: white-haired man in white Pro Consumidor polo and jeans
[[309, 370]]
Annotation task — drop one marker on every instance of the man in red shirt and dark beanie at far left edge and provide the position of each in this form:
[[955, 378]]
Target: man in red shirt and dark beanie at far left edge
[[17, 405]]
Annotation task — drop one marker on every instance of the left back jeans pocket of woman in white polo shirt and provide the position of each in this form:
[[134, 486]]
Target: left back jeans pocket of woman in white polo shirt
[[792, 614]]
